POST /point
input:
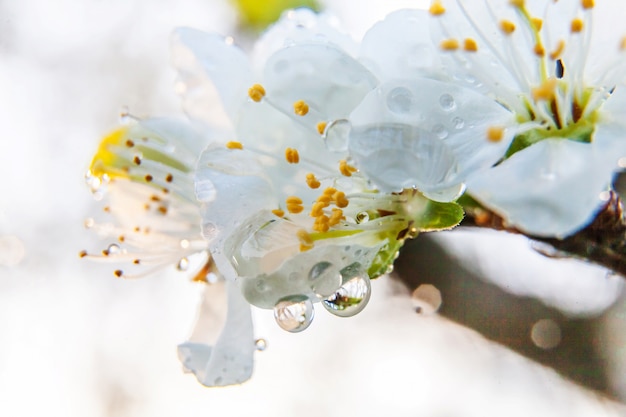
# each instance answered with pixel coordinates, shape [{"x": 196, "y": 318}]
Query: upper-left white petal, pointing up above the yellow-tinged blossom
[{"x": 212, "y": 71}]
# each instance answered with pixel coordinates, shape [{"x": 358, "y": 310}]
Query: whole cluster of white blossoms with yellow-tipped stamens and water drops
[{"x": 305, "y": 165}]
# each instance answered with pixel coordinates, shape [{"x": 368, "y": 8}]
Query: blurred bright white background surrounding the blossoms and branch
[{"x": 74, "y": 341}]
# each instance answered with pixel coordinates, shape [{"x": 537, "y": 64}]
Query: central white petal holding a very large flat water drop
[{"x": 400, "y": 139}]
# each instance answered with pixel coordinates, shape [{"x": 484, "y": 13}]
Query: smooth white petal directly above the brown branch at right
[{"x": 551, "y": 188}]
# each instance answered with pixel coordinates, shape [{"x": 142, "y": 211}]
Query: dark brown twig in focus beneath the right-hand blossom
[{"x": 602, "y": 242}]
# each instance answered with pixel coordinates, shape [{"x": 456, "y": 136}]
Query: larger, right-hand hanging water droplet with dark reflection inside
[{"x": 352, "y": 297}]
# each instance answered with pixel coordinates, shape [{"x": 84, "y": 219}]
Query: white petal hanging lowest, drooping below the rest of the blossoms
[{"x": 230, "y": 361}]
